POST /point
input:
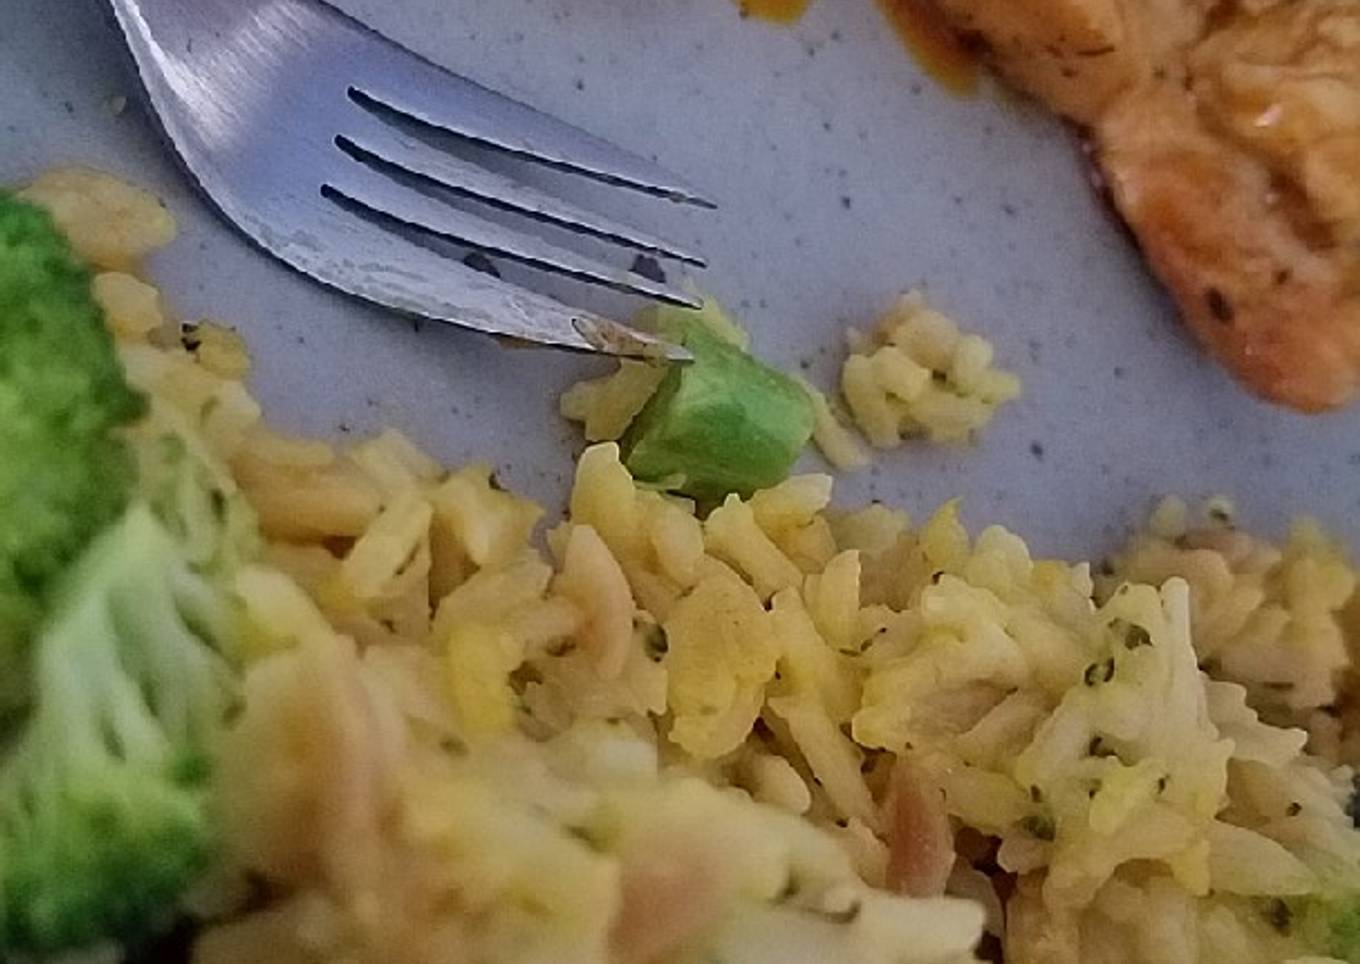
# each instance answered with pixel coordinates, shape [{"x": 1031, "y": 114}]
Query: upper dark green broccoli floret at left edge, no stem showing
[{"x": 65, "y": 472}]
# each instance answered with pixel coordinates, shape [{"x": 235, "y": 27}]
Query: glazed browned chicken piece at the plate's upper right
[{"x": 1230, "y": 137}]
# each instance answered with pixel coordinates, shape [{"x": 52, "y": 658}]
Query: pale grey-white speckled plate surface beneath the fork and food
[{"x": 844, "y": 177}]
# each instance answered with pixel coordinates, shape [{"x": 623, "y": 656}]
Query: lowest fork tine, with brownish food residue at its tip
[{"x": 379, "y": 266}]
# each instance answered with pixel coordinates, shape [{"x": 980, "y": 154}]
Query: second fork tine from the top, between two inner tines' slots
[{"x": 383, "y": 142}]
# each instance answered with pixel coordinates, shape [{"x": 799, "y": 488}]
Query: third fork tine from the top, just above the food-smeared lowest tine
[{"x": 383, "y": 195}]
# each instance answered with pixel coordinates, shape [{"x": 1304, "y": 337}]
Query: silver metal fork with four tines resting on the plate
[{"x": 328, "y": 146}]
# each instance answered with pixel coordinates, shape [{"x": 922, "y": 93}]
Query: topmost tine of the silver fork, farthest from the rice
[{"x": 411, "y": 86}]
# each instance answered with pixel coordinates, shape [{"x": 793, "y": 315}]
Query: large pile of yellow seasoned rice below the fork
[{"x": 779, "y": 734}]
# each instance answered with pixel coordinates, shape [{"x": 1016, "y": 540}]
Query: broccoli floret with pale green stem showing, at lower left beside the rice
[{"x": 104, "y": 792}]
